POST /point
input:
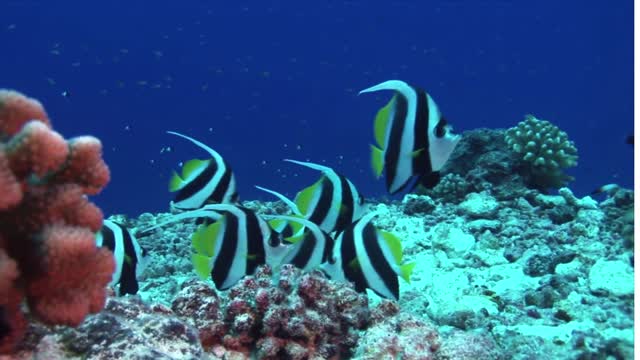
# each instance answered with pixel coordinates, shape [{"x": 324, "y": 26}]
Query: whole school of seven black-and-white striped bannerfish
[{"x": 328, "y": 228}]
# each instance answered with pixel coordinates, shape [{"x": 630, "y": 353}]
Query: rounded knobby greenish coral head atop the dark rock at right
[{"x": 546, "y": 148}]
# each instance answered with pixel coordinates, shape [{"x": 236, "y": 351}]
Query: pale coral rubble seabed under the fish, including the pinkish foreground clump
[{"x": 532, "y": 277}]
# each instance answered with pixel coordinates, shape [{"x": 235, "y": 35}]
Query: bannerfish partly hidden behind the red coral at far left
[{"x": 130, "y": 258}]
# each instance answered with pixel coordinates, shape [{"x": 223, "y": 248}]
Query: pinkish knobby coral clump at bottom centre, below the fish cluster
[{"x": 303, "y": 316}]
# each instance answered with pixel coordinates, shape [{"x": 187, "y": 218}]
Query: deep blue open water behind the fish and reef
[{"x": 262, "y": 81}]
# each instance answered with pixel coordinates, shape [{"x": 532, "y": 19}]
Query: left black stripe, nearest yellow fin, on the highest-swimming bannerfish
[{"x": 392, "y": 152}]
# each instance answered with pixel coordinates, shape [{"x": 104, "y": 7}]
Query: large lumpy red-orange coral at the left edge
[{"x": 48, "y": 255}]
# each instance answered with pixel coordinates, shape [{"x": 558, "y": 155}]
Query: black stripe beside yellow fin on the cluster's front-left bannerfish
[{"x": 228, "y": 250}]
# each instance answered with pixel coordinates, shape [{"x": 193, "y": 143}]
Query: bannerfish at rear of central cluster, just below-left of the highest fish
[{"x": 333, "y": 202}]
